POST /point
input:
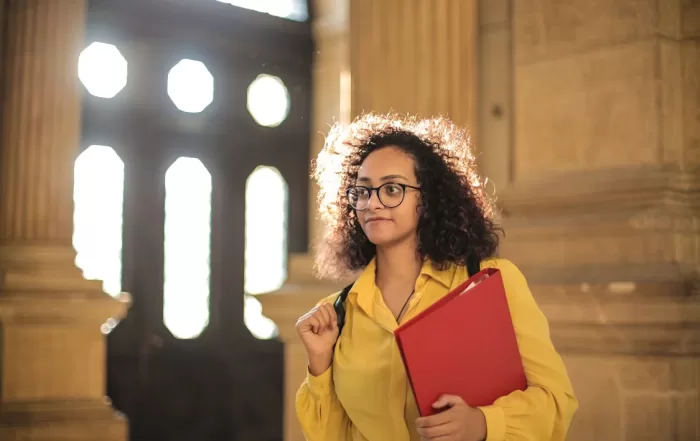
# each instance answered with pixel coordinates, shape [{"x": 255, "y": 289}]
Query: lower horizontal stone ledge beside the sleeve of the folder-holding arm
[{"x": 623, "y": 317}]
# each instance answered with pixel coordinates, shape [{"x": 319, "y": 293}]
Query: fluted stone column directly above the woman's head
[{"x": 414, "y": 56}]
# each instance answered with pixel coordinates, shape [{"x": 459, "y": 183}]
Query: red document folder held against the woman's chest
[{"x": 463, "y": 345}]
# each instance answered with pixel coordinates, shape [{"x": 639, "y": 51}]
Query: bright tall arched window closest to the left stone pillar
[{"x": 98, "y": 194}]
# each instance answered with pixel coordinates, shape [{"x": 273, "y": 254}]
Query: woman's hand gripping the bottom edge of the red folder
[{"x": 458, "y": 422}]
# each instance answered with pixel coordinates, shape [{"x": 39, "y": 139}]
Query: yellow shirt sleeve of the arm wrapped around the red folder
[{"x": 545, "y": 409}]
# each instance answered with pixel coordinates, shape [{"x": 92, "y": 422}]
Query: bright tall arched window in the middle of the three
[{"x": 186, "y": 286}]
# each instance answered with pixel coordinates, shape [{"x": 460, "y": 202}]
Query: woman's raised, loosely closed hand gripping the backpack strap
[{"x": 318, "y": 330}]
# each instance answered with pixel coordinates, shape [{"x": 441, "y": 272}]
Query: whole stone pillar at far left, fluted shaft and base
[{"x": 52, "y": 352}]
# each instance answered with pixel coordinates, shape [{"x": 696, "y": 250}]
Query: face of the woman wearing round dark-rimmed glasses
[{"x": 388, "y": 226}]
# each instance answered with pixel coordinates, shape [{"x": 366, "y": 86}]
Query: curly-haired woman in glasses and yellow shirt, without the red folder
[{"x": 404, "y": 208}]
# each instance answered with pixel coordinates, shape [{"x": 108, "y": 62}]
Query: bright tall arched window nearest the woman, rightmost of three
[{"x": 265, "y": 243}]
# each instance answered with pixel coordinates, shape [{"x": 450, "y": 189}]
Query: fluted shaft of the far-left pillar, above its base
[{"x": 41, "y": 125}]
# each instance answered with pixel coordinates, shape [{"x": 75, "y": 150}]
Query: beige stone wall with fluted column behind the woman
[{"x": 585, "y": 116}]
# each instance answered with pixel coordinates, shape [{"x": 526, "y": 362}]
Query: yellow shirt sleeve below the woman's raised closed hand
[{"x": 319, "y": 412}]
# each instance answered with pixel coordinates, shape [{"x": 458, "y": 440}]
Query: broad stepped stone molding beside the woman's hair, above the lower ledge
[{"x": 634, "y": 224}]
